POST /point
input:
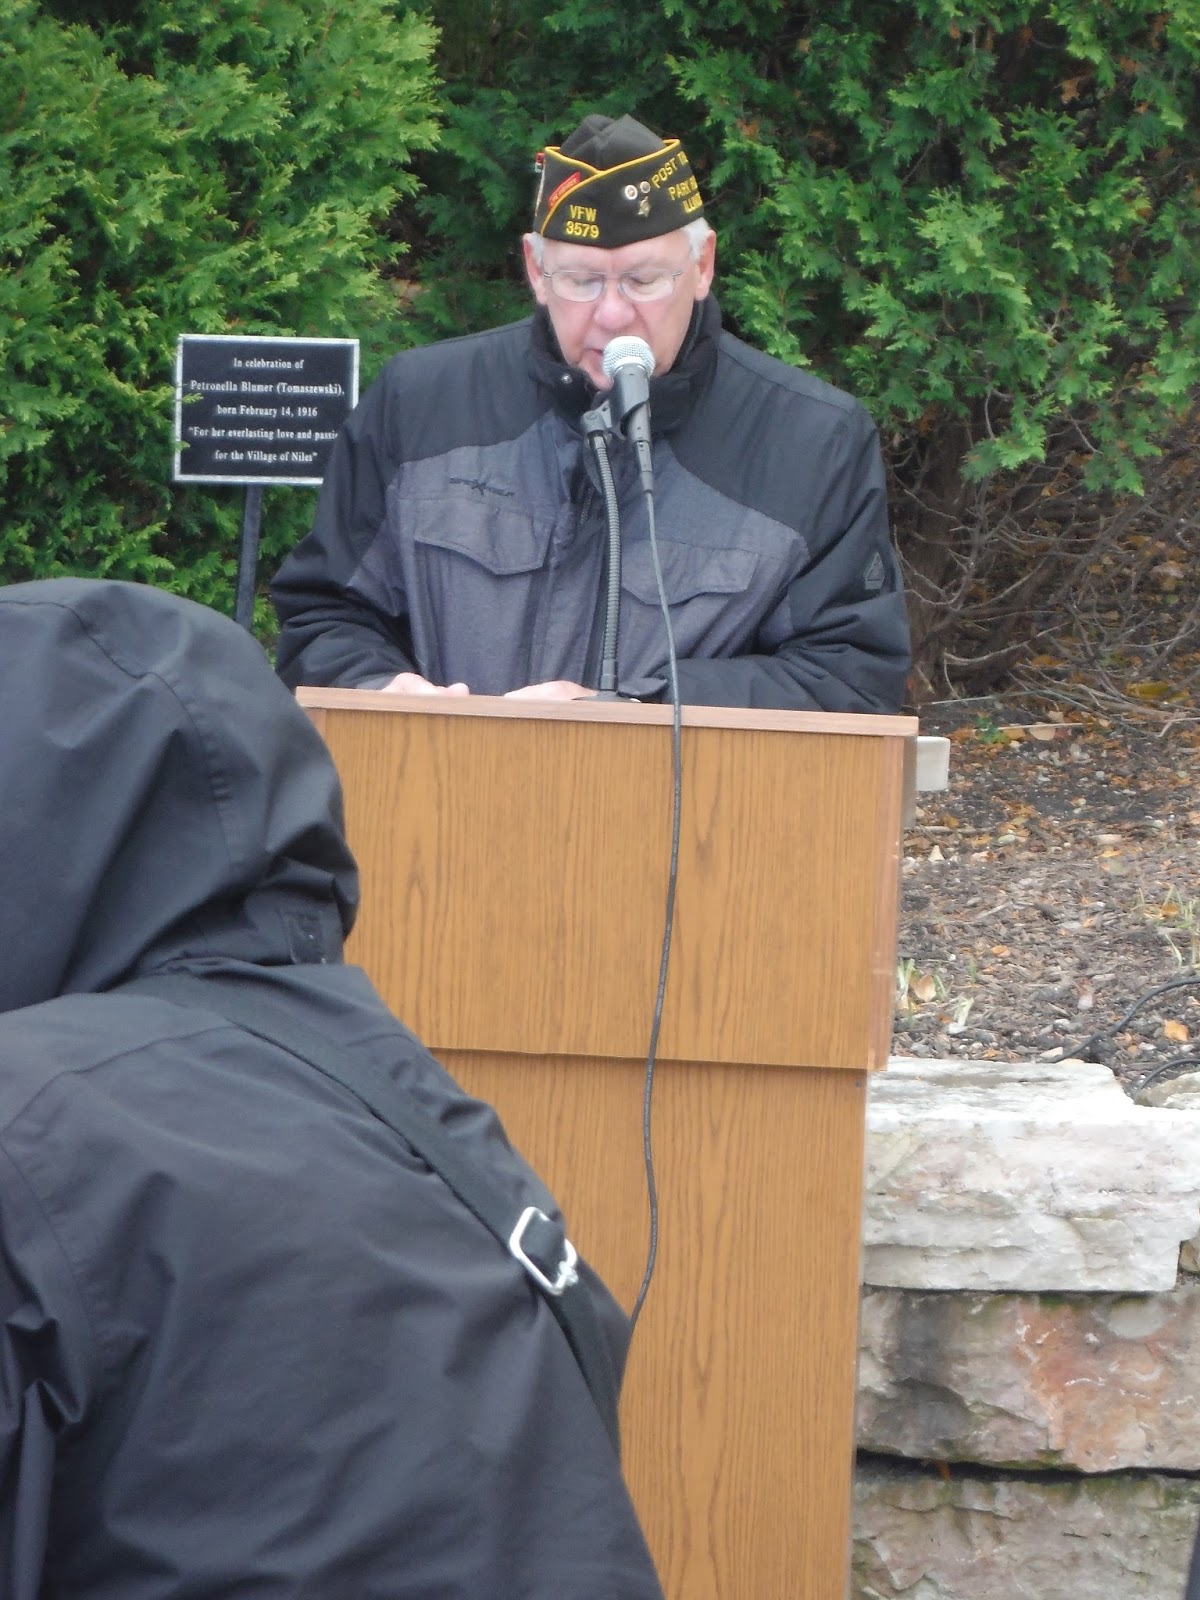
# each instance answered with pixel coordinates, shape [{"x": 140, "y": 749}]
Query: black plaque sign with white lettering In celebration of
[{"x": 260, "y": 410}]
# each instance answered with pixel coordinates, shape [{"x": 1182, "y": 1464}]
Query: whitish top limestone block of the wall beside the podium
[{"x": 1025, "y": 1177}]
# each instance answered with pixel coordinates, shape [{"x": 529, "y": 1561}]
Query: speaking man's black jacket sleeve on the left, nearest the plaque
[{"x": 329, "y": 633}]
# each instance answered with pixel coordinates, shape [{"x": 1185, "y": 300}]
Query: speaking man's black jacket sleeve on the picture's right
[{"x": 839, "y": 639}]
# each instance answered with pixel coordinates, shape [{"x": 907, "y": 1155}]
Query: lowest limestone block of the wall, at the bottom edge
[{"x": 919, "y": 1537}]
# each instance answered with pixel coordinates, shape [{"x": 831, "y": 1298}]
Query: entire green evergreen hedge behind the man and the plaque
[{"x": 982, "y": 220}]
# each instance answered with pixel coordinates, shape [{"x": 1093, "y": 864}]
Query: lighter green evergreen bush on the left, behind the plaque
[{"x": 186, "y": 167}]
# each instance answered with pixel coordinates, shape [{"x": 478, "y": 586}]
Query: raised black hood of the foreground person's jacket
[{"x": 162, "y": 796}]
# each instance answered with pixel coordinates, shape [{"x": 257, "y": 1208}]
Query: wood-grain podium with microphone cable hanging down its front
[{"x": 514, "y": 863}]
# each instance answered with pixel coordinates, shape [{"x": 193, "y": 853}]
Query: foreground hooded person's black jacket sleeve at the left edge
[{"x": 44, "y": 1342}]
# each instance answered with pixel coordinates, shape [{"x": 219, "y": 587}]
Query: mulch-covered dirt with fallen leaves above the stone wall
[{"x": 1050, "y": 898}]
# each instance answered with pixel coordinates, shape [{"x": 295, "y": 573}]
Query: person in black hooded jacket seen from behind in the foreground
[{"x": 250, "y": 1343}]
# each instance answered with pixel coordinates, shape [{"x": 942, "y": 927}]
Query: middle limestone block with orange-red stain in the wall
[{"x": 1094, "y": 1383}]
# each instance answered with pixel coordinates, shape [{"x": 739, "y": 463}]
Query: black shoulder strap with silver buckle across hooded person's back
[{"x": 532, "y": 1238}]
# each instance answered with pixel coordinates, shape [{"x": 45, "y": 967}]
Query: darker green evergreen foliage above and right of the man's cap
[{"x": 951, "y": 212}]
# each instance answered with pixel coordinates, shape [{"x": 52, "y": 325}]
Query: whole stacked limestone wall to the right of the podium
[{"x": 1030, "y": 1356}]
